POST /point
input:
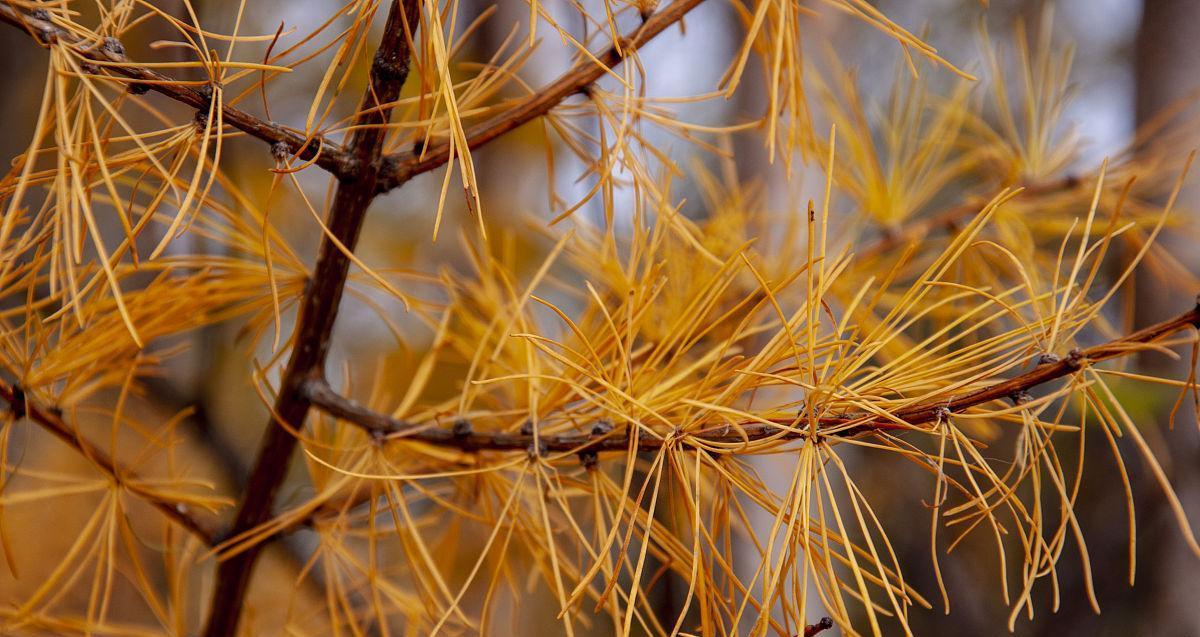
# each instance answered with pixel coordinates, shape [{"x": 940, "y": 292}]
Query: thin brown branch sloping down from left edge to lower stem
[{"x": 50, "y": 420}]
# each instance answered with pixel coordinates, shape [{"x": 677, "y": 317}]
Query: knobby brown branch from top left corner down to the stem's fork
[{"x": 111, "y": 51}]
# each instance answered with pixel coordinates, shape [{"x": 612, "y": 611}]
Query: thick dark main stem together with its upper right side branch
[{"x": 371, "y": 175}]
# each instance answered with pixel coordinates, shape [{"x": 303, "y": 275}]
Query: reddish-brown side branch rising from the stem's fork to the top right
[{"x": 404, "y": 167}]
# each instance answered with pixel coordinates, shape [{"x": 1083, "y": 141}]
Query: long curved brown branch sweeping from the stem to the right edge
[{"x": 602, "y": 438}]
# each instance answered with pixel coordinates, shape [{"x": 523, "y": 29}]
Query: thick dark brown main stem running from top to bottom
[{"x": 319, "y": 309}]
